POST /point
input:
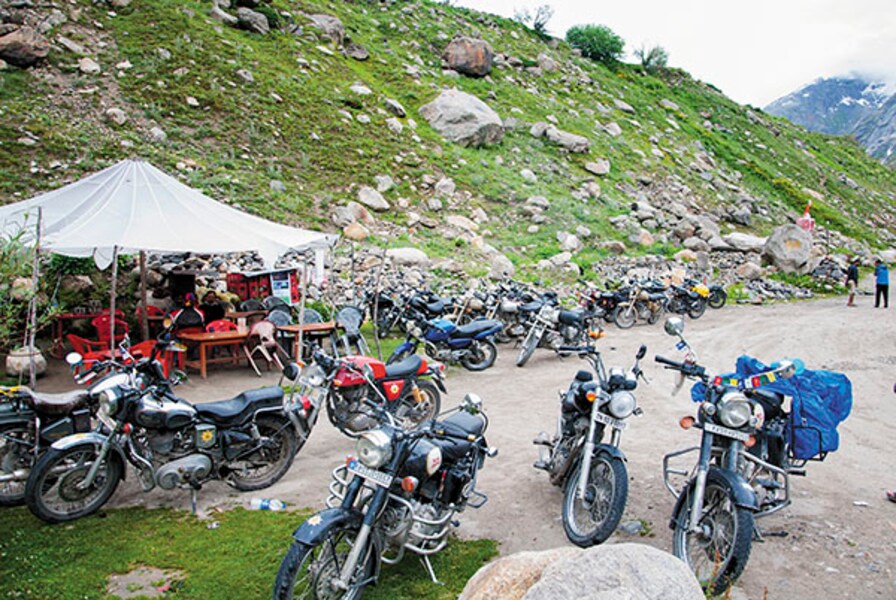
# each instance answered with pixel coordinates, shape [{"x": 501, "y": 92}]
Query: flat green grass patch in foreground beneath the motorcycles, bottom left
[{"x": 239, "y": 559}]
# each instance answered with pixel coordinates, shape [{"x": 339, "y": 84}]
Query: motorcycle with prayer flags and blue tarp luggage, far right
[{"x": 751, "y": 444}]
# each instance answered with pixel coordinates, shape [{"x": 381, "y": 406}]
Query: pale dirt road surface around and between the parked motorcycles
[{"x": 840, "y": 528}]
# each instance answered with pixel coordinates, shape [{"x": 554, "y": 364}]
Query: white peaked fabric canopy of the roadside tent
[{"x": 135, "y": 206}]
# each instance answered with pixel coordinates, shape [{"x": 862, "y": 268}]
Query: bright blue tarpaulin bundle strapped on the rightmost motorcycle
[{"x": 821, "y": 400}]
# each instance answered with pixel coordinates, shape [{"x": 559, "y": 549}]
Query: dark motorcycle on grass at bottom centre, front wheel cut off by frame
[{"x": 399, "y": 493}]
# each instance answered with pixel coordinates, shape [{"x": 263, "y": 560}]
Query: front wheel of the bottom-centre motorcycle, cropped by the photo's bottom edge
[{"x": 309, "y": 571}]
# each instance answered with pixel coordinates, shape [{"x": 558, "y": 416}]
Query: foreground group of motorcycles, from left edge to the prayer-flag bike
[{"x": 414, "y": 467}]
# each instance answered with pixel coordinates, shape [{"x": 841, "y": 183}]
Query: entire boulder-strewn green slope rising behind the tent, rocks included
[{"x": 418, "y": 124}]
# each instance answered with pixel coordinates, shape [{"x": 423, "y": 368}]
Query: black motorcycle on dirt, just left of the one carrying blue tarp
[{"x": 591, "y": 472}]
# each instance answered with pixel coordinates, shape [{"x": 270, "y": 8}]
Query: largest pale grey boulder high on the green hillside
[{"x": 463, "y": 118}]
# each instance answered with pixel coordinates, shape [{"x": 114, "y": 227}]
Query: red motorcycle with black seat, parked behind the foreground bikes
[{"x": 408, "y": 389}]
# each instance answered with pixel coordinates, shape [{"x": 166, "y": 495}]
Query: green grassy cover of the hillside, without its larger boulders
[{"x": 297, "y": 123}]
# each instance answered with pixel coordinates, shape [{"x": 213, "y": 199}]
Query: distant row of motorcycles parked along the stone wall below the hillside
[{"x": 465, "y": 329}]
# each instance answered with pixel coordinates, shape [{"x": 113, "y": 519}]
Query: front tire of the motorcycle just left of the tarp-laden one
[{"x": 603, "y": 505}]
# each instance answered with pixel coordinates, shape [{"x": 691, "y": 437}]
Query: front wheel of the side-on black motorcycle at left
[{"x": 45, "y": 478}]
